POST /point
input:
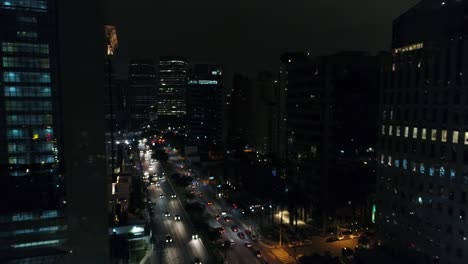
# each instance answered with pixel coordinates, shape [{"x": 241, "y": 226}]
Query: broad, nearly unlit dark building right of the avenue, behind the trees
[{"x": 330, "y": 116}]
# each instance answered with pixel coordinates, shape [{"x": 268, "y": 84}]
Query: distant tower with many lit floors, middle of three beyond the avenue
[{"x": 172, "y": 85}]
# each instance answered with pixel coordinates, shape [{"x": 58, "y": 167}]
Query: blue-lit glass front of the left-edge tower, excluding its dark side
[{"x": 32, "y": 196}]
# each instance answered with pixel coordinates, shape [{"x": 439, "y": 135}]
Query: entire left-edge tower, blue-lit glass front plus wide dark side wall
[{"x": 44, "y": 216}]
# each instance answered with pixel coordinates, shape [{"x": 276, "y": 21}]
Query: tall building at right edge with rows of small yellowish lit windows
[{"x": 423, "y": 136}]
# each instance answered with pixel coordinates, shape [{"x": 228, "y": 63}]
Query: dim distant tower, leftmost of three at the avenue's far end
[{"x": 141, "y": 96}]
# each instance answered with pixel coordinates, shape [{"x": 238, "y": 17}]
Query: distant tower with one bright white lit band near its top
[{"x": 204, "y": 99}]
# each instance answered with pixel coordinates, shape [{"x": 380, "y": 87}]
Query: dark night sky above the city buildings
[{"x": 249, "y": 35}]
